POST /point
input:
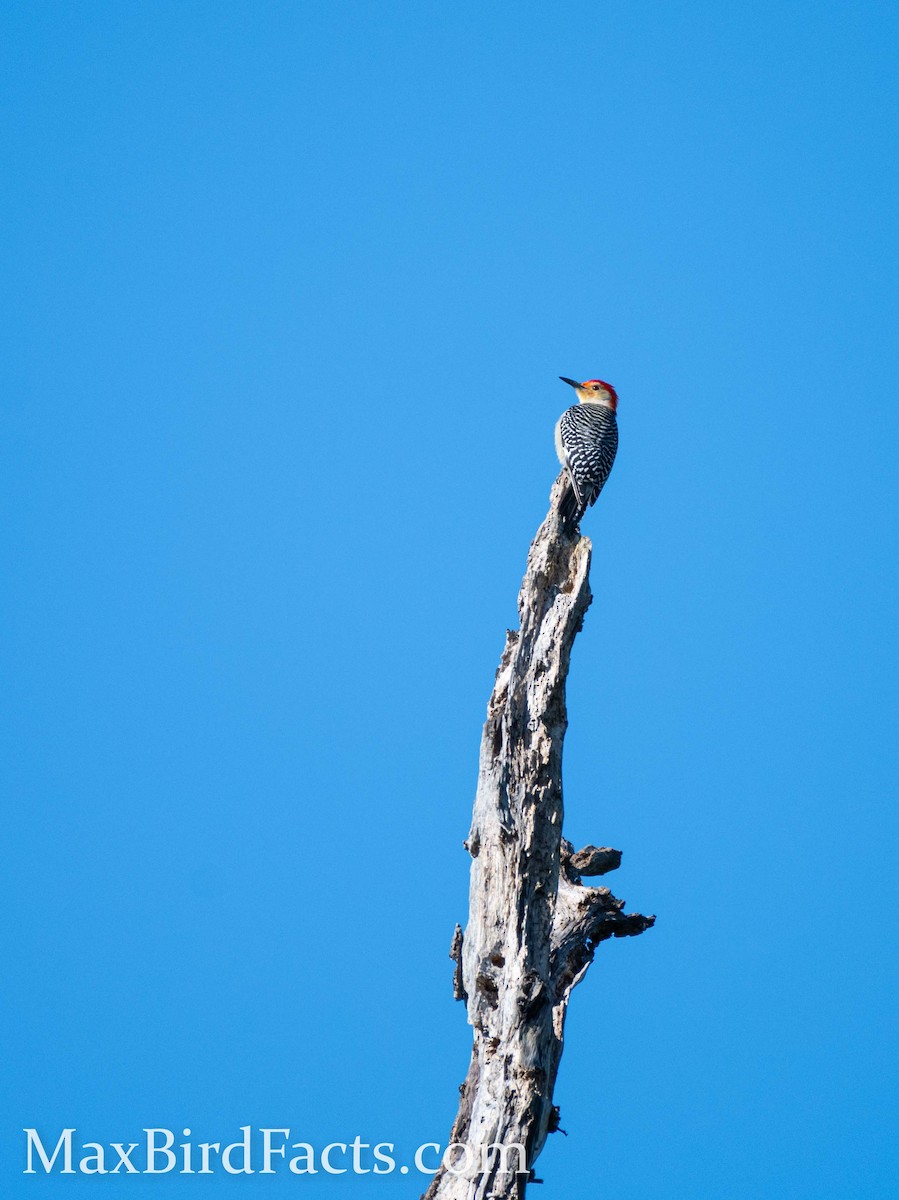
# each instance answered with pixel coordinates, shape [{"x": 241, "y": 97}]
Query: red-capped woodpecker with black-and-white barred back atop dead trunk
[{"x": 586, "y": 442}]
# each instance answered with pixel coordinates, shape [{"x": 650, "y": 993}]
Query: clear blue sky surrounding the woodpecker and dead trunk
[{"x": 289, "y": 289}]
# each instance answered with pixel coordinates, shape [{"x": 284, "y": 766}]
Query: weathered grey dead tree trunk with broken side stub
[{"x": 534, "y": 927}]
